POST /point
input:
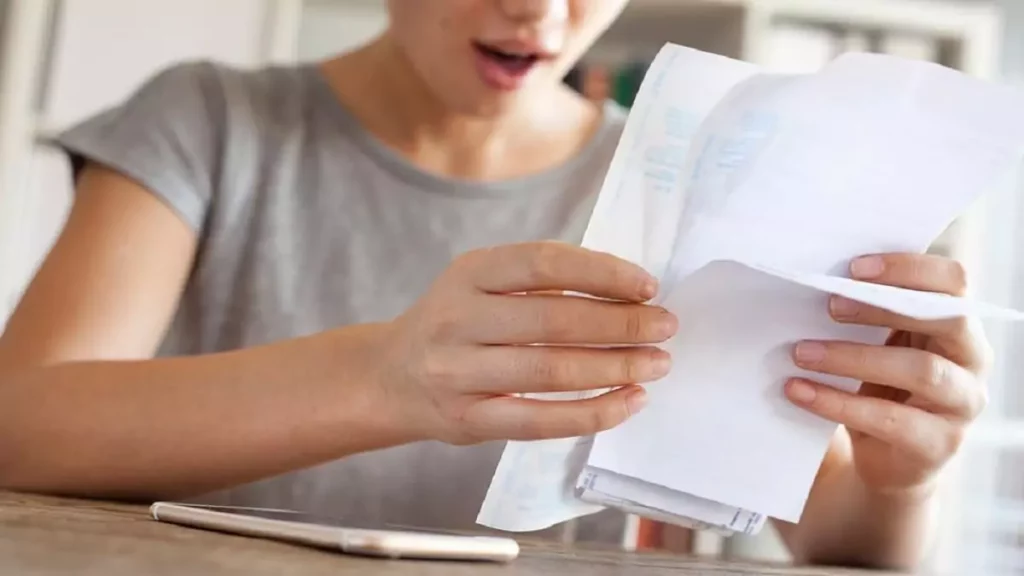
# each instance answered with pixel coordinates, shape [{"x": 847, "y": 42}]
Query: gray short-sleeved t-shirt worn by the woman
[{"x": 308, "y": 223}]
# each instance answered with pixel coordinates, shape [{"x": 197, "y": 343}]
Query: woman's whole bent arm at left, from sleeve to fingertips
[{"x": 86, "y": 412}]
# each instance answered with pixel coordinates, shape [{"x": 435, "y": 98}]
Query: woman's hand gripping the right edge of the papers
[{"x": 921, "y": 391}]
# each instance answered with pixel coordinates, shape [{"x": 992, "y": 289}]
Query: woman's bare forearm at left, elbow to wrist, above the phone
[{"x": 174, "y": 428}]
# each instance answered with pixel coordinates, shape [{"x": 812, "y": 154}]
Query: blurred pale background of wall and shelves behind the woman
[{"x": 62, "y": 61}]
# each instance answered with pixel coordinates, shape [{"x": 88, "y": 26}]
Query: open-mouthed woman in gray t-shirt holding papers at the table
[{"x": 324, "y": 260}]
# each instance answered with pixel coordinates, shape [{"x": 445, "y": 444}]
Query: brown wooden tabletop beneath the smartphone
[{"x": 51, "y": 537}]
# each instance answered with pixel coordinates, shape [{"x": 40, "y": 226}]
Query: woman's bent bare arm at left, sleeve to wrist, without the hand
[{"x": 84, "y": 412}]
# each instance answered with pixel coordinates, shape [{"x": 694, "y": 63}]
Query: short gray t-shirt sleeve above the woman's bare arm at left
[{"x": 164, "y": 137}]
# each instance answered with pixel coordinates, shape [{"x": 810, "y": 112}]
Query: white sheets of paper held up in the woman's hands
[{"x": 748, "y": 194}]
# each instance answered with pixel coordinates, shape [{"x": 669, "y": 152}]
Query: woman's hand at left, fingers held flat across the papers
[{"x": 454, "y": 363}]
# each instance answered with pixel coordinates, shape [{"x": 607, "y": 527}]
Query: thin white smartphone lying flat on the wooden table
[{"x": 331, "y": 534}]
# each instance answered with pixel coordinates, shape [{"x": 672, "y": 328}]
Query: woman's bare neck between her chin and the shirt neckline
[{"x": 539, "y": 133}]
